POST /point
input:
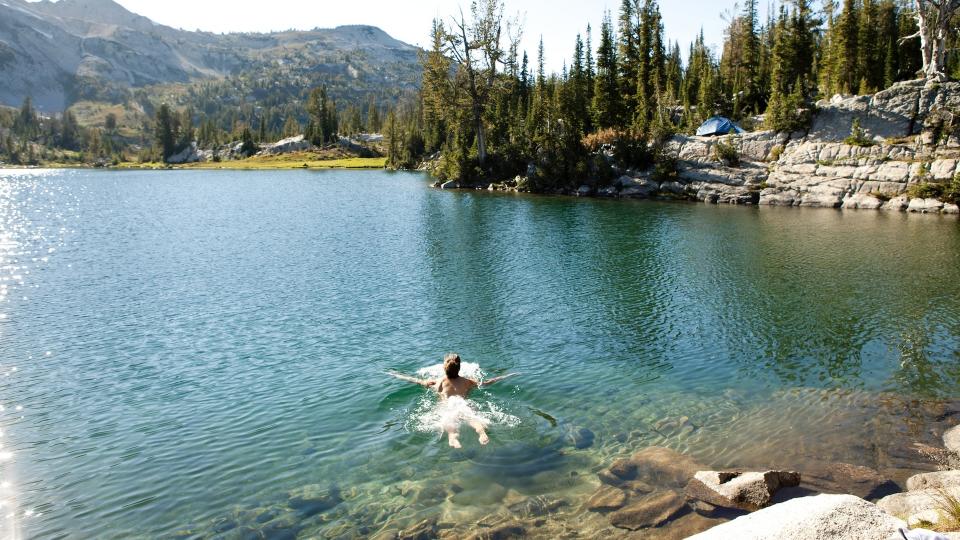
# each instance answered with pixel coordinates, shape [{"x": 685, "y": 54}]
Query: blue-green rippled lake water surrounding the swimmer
[{"x": 181, "y": 350}]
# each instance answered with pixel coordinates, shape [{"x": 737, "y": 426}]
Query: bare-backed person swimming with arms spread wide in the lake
[{"x": 453, "y": 391}]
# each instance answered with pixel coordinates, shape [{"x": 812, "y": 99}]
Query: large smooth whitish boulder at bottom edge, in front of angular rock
[{"x": 805, "y": 518}]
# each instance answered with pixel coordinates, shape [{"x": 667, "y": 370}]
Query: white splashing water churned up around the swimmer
[{"x": 436, "y": 415}]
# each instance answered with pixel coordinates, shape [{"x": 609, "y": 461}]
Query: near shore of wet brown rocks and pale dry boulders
[{"x": 657, "y": 487}]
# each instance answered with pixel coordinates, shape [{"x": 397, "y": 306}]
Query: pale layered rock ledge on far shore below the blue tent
[{"x": 910, "y": 136}]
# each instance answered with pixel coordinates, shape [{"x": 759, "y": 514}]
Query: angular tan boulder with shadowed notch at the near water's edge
[{"x": 748, "y": 491}]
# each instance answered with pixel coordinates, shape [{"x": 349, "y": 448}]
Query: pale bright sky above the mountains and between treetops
[{"x": 558, "y": 21}]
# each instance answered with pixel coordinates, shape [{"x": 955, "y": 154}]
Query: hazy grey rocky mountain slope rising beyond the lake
[{"x": 61, "y": 52}]
